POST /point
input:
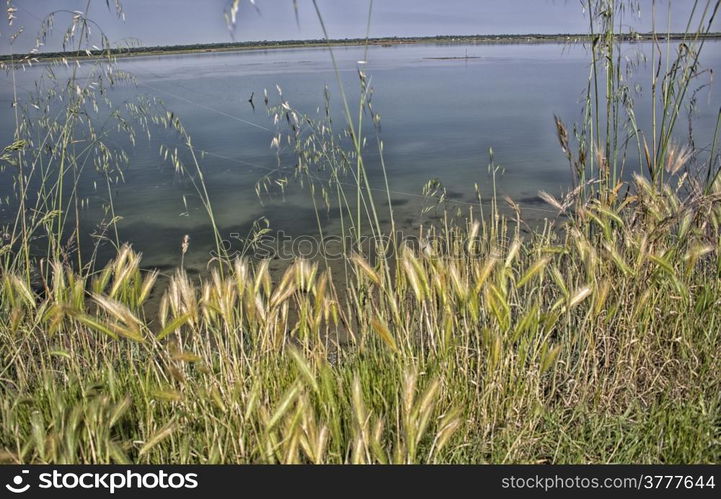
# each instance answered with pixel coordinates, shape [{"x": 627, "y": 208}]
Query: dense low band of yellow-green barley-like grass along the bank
[{"x": 563, "y": 348}]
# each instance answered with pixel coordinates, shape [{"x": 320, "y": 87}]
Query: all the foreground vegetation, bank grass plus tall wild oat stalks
[{"x": 594, "y": 337}]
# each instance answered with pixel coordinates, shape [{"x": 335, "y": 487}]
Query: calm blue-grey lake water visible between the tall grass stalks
[{"x": 439, "y": 119}]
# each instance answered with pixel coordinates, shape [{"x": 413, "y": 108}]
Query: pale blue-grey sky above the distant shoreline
[{"x": 177, "y": 22}]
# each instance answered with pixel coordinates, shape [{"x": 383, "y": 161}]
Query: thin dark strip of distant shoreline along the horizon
[{"x": 347, "y": 42}]
